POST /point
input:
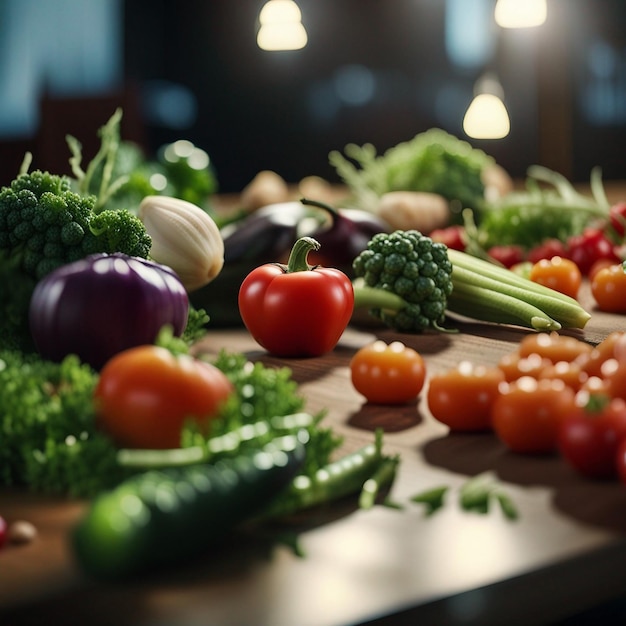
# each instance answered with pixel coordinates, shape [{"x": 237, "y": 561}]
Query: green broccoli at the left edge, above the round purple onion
[{"x": 45, "y": 225}]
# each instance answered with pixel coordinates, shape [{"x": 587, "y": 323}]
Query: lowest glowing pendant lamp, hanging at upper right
[{"x": 486, "y": 116}]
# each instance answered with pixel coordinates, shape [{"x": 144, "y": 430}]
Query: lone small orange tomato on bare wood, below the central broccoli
[{"x": 388, "y": 374}]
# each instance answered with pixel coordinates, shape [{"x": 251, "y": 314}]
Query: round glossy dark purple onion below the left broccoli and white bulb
[{"x": 103, "y": 304}]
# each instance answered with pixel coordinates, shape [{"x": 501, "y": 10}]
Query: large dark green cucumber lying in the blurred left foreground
[{"x": 164, "y": 516}]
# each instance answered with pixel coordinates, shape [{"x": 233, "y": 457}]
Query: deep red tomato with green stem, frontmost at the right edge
[{"x": 588, "y": 437}]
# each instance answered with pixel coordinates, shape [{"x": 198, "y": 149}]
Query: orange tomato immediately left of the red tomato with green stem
[{"x": 527, "y": 413}]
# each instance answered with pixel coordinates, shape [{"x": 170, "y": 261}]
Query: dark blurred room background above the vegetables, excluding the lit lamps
[{"x": 372, "y": 71}]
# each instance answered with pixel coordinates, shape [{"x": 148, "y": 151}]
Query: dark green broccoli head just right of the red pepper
[{"x": 407, "y": 279}]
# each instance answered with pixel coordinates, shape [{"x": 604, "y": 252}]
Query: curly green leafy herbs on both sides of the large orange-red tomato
[{"x": 50, "y": 442}]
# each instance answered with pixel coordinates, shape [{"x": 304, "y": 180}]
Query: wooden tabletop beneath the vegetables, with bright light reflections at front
[{"x": 566, "y": 552}]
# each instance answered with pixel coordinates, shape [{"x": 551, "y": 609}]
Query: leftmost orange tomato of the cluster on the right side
[{"x": 461, "y": 398}]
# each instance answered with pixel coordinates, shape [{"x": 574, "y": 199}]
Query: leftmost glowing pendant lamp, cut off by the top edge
[{"x": 281, "y": 26}]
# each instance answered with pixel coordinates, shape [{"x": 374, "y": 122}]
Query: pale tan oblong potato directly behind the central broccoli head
[{"x": 414, "y": 210}]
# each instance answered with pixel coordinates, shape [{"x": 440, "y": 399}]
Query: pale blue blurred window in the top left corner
[{"x": 65, "y": 48}]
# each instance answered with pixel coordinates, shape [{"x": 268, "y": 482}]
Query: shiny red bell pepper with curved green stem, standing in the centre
[{"x": 296, "y": 309}]
